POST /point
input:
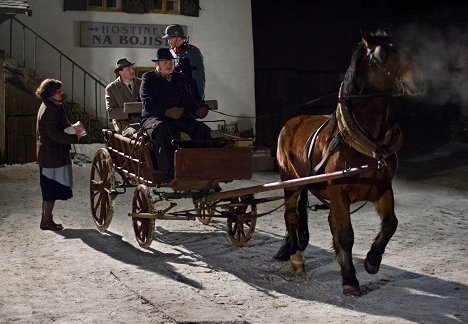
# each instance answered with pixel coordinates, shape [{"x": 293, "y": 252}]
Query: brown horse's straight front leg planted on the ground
[{"x": 343, "y": 240}]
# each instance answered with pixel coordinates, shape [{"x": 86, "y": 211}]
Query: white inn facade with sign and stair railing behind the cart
[{"x": 93, "y": 40}]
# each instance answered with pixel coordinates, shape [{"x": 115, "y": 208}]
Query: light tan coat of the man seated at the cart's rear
[{"x": 117, "y": 94}]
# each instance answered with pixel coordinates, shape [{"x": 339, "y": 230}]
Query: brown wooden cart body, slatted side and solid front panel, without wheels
[{"x": 195, "y": 169}]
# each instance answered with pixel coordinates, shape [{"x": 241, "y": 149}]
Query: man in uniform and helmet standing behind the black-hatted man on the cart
[{"x": 190, "y": 59}]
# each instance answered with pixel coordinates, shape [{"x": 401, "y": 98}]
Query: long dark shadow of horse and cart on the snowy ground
[{"x": 418, "y": 300}]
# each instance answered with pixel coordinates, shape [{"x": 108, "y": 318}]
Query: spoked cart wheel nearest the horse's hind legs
[{"x": 241, "y": 220}]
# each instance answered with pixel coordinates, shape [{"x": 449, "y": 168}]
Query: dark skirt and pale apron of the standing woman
[{"x": 56, "y": 183}]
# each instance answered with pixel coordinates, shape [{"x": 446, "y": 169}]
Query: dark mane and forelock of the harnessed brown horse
[{"x": 378, "y": 38}]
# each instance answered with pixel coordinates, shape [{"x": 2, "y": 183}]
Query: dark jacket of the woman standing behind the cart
[{"x": 53, "y": 144}]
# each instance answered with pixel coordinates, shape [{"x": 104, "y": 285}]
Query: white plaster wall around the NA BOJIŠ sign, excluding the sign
[{"x": 223, "y": 32}]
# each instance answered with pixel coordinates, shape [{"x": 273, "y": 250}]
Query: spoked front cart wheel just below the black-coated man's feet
[{"x": 143, "y": 227}]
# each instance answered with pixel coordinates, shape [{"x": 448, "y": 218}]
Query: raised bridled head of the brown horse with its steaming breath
[{"x": 388, "y": 70}]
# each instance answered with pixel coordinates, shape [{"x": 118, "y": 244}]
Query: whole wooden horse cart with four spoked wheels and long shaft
[{"x": 198, "y": 174}]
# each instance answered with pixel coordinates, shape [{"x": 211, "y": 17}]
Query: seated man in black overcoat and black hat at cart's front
[{"x": 168, "y": 109}]
